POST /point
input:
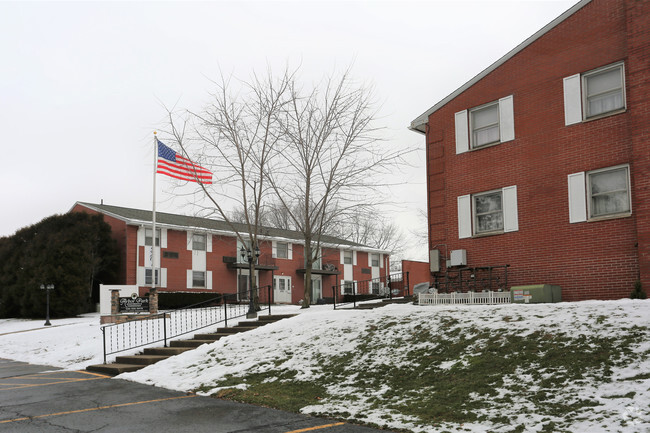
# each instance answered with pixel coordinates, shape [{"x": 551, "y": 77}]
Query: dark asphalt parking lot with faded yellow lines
[{"x": 40, "y": 398}]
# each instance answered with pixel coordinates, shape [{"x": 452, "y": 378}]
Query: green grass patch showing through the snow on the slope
[{"x": 488, "y": 369}]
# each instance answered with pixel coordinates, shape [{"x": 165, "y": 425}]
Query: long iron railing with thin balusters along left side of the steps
[{"x": 168, "y": 325}]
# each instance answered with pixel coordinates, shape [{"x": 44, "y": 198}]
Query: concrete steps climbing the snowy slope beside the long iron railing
[{"x": 151, "y": 355}]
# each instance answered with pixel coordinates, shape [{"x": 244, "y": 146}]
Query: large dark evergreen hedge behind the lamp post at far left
[{"x": 75, "y": 252}]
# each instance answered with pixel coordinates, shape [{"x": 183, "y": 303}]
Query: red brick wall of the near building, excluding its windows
[{"x": 590, "y": 260}]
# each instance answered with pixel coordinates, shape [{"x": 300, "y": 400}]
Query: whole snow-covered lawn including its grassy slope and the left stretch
[{"x": 575, "y": 367}]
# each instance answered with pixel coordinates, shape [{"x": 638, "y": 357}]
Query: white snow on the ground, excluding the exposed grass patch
[{"x": 320, "y": 332}]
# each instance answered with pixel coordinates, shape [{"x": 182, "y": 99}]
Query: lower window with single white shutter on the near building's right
[{"x": 602, "y": 193}]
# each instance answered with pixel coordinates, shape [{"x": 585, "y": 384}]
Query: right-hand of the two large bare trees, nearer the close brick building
[{"x": 330, "y": 162}]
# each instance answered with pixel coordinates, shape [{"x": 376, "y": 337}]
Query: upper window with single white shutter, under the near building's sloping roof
[{"x": 594, "y": 94}]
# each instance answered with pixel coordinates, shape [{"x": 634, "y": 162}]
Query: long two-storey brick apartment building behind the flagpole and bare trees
[{"x": 202, "y": 255}]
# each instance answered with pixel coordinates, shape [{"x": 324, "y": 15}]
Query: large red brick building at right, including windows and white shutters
[{"x": 542, "y": 161}]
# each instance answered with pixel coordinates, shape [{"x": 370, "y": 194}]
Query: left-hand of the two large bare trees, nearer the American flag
[{"x": 235, "y": 137}]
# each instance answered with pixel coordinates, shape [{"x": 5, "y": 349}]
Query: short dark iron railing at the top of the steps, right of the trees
[{"x": 389, "y": 286}]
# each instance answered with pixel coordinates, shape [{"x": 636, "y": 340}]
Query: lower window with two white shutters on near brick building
[{"x": 488, "y": 212}]
